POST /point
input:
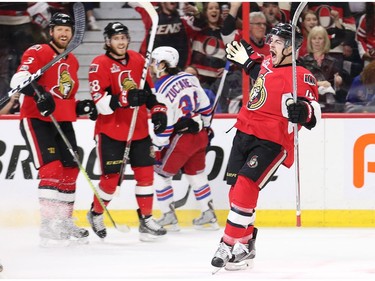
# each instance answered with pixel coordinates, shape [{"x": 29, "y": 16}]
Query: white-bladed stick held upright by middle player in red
[{"x": 155, "y": 20}]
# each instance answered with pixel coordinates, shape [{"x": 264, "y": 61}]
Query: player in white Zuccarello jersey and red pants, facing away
[{"x": 182, "y": 146}]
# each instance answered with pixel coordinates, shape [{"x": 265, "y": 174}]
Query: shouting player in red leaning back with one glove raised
[{"x": 264, "y": 137}]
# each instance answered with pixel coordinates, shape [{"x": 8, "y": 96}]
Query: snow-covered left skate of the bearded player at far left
[{"x": 53, "y": 234}]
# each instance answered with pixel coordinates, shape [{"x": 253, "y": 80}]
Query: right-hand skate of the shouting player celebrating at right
[{"x": 243, "y": 255}]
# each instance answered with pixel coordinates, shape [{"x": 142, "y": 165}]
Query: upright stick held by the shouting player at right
[{"x": 295, "y": 19}]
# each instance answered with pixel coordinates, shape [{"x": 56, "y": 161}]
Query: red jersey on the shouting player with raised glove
[{"x": 265, "y": 115}]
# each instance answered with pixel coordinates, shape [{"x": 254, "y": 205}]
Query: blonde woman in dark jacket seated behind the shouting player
[{"x": 327, "y": 70}]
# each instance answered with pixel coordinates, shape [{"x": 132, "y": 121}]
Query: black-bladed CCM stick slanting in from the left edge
[{"x": 79, "y": 11}]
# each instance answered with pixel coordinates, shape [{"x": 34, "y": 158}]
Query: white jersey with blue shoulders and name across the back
[{"x": 184, "y": 98}]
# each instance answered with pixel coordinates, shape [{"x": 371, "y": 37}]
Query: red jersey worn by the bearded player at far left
[{"x": 60, "y": 80}]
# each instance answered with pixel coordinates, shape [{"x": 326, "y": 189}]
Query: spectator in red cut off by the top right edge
[{"x": 365, "y": 34}]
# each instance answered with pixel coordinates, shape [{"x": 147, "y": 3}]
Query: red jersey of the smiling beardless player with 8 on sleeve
[{"x": 107, "y": 77}]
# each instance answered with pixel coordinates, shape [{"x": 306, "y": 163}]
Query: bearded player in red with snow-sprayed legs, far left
[{"x": 58, "y": 171}]
